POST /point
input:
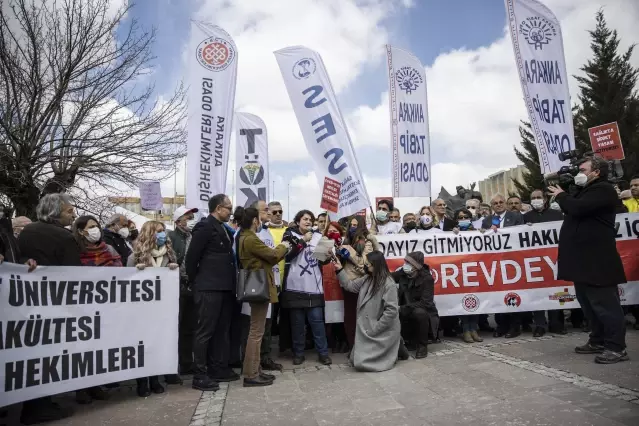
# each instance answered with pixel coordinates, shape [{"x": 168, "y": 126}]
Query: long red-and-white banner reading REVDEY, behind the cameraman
[{"x": 513, "y": 269}]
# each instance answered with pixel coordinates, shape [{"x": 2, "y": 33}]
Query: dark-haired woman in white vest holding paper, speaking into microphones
[{"x": 303, "y": 291}]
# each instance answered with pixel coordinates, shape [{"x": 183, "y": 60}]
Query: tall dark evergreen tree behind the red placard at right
[{"x": 608, "y": 93}]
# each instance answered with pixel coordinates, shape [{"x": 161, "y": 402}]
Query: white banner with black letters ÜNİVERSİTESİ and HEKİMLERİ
[{"x": 65, "y": 328}]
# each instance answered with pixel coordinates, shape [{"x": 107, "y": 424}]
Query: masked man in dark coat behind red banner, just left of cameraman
[{"x": 541, "y": 213}]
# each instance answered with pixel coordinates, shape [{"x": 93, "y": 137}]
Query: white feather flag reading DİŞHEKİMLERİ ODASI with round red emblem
[{"x": 213, "y": 73}]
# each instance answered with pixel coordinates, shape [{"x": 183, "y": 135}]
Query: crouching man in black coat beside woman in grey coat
[{"x": 417, "y": 311}]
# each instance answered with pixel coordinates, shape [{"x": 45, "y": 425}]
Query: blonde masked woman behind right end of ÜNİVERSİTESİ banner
[{"x": 152, "y": 249}]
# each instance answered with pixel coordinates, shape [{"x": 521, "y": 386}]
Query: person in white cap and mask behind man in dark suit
[{"x": 180, "y": 237}]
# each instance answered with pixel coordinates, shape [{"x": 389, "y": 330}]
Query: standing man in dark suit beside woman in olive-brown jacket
[{"x": 210, "y": 265}]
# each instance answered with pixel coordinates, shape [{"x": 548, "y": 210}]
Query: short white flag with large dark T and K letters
[{"x": 251, "y": 159}]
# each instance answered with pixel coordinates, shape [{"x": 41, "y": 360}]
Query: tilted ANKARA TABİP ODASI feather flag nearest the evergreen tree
[{"x": 539, "y": 53}]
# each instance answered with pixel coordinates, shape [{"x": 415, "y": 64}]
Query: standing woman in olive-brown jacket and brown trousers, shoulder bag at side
[{"x": 253, "y": 254}]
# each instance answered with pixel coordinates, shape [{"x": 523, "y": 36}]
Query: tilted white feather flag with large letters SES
[{"x": 322, "y": 125}]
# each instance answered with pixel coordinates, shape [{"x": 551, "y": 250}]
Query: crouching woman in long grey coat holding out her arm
[{"x": 378, "y": 328}]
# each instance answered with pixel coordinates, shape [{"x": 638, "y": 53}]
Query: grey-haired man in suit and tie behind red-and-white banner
[{"x": 508, "y": 325}]
